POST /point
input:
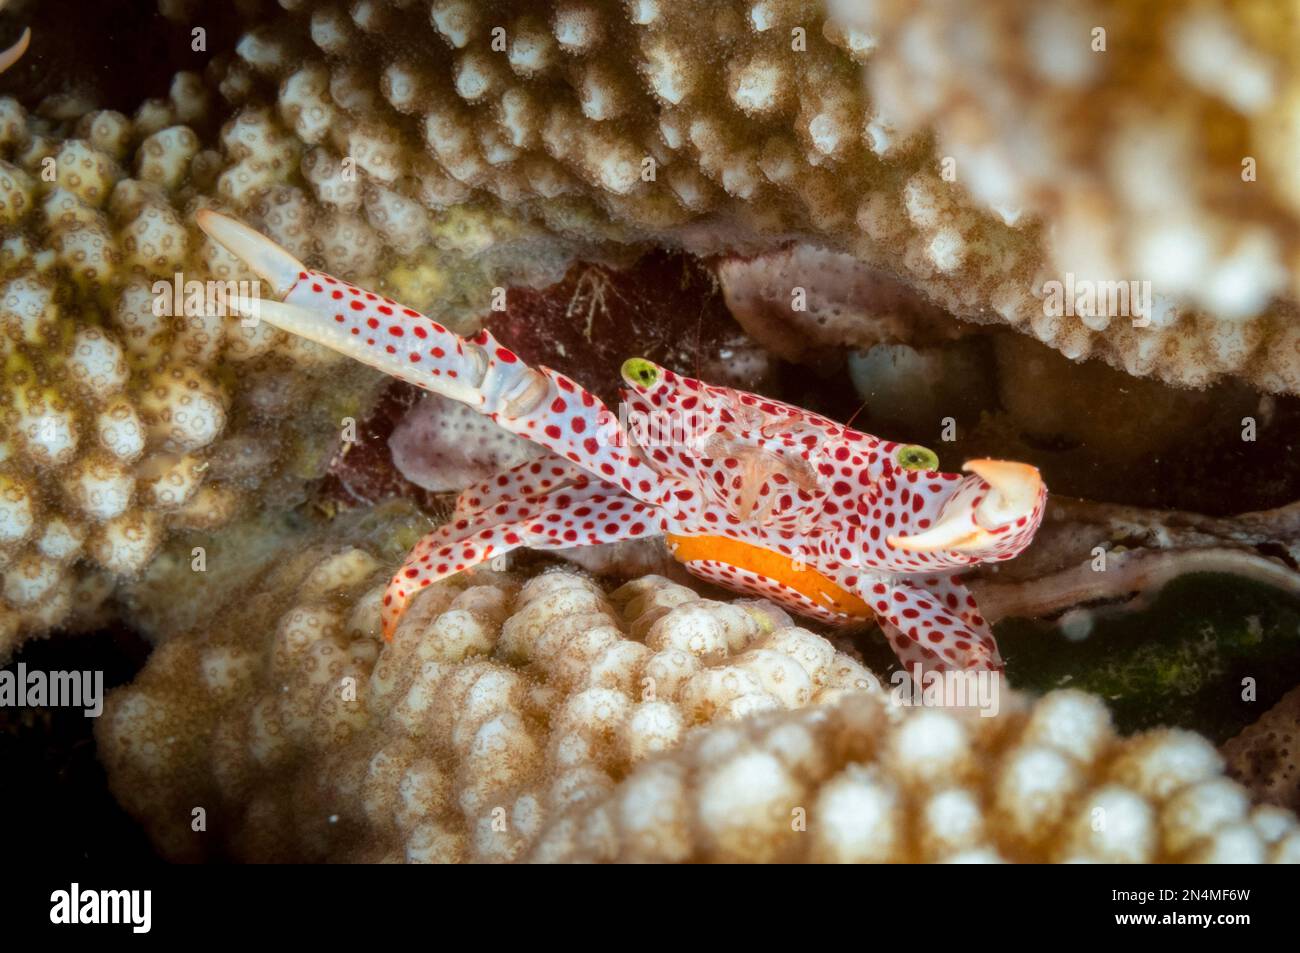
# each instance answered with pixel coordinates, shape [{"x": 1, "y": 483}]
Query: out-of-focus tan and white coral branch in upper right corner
[{"x": 1147, "y": 144}]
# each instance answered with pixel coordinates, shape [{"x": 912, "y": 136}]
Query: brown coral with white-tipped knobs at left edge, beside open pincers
[{"x": 129, "y": 409}]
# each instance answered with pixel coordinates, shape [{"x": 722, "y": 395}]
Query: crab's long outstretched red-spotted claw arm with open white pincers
[{"x": 539, "y": 404}]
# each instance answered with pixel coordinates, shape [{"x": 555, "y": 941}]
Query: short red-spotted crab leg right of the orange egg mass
[{"x": 935, "y": 625}]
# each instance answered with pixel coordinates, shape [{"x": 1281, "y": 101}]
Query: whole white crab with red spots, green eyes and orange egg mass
[{"x": 752, "y": 495}]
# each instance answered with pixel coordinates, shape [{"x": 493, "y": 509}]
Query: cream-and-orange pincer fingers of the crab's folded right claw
[{"x": 1015, "y": 491}]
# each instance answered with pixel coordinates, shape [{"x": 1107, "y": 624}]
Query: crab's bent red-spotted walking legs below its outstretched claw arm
[{"x": 586, "y": 513}]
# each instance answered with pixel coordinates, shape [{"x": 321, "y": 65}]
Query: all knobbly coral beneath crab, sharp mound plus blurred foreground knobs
[{"x": 548, "y": 720}]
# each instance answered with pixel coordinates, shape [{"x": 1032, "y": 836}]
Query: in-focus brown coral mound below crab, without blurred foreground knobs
[{"x": 500, "y": 701}]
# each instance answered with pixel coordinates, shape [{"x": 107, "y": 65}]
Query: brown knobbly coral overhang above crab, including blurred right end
[{"x": 757, "y": 123}]
